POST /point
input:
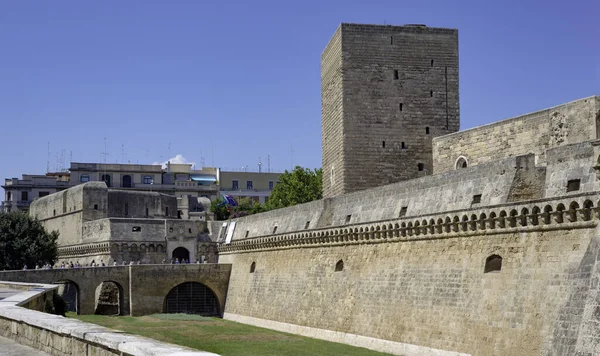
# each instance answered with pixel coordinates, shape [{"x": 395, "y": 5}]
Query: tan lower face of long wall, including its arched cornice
[{"x": 419, "y": 283}]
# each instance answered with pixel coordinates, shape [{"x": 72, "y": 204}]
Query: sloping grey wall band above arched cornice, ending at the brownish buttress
[{"x": 450, "y": 191}]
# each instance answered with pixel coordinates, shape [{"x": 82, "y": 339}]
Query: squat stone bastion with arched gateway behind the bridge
[{"x": 100, "y": 224}]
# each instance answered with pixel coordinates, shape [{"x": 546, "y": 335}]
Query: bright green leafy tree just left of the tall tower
[{"x": 296, "y": 187}]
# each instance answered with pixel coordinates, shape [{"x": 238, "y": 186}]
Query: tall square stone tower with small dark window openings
[{"x": 386, "y": 91}]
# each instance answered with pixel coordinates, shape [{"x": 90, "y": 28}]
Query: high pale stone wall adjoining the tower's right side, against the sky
[{"x": 569, "y": 123}]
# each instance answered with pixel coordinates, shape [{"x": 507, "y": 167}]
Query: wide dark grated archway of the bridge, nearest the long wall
[{"x": 192, "y": 298}]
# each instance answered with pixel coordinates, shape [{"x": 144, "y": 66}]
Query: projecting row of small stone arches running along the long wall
[{"x": 576, "y": 211}]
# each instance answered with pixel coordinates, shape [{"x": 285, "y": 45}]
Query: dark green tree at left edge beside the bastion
[{"x": 24, "y": 241}]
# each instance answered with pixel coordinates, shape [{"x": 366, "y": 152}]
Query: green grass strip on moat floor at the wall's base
[{"x": 220, "y": 336}]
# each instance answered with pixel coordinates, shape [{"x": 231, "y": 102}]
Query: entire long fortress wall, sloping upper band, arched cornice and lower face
[{"x": 416, "y": 284}]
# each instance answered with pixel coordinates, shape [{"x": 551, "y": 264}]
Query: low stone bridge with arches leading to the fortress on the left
[{"x": 142, "y": 289}]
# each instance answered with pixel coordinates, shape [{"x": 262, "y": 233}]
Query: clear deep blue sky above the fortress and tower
[{"x": 242, "y": 78}]
